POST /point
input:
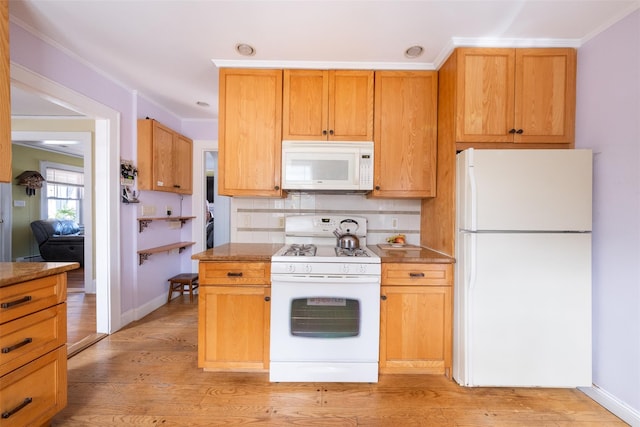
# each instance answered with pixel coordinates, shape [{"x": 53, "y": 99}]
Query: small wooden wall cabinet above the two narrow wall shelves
[{"x": 165, "y": 160}]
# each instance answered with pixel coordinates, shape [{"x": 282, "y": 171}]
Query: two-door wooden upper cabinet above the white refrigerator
[{"x": 515, "y": 95}]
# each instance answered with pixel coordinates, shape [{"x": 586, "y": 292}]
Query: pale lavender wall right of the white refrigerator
[{"x": 607, "y": 120}]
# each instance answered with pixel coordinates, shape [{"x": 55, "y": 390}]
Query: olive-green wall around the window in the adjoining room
[{"x": 25, "y": 158}]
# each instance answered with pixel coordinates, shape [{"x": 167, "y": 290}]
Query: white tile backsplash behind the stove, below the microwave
[{"x": 260, "y": 220}]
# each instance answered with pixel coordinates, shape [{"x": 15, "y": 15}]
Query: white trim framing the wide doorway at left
[{"x": 106, "y": 172}]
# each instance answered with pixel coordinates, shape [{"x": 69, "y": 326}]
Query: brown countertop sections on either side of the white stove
[{"x": 261, "y": 252}]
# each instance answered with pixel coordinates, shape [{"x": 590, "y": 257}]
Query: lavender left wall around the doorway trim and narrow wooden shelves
[{"x": 141, "y": 288}]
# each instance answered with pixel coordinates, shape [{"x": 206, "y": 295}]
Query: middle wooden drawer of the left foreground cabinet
[{"x": 30, "y": 337}]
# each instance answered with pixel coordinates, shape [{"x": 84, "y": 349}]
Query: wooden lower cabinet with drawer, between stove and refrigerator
[{"x": 416, "y": 318}]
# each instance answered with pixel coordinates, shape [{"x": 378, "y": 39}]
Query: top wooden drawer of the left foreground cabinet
[{"x": 28, "y": 297}]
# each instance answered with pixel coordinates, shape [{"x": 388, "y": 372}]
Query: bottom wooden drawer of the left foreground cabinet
[{"x": 33, "y": 394}]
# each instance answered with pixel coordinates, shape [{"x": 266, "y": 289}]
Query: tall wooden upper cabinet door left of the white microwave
[{"x": 250, "y": 132}]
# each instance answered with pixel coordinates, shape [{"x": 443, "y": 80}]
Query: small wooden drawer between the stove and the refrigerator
[{"x": 405, "y": 274}]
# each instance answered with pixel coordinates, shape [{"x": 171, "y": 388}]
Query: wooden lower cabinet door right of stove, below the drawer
[{"x": 415, "y": 329}]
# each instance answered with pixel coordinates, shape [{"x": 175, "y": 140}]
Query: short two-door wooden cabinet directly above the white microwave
[{"x": 333, "y": 105}]
